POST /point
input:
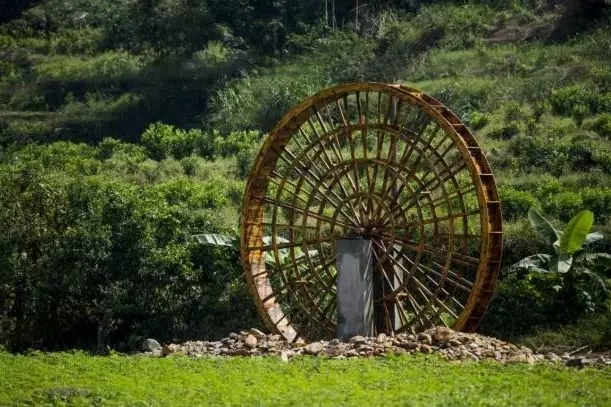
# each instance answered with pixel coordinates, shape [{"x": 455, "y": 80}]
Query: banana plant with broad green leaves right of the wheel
[{"x": 571, "y": 261}]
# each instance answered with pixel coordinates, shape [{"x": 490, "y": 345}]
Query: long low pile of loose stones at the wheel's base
[{"x": 456, "y": 346}]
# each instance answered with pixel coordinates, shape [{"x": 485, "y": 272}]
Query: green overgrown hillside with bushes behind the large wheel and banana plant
[{"x": 126, "y": 127}]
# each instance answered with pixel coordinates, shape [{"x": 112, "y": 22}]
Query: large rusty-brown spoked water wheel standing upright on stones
[{"x": 387, "y": 163}]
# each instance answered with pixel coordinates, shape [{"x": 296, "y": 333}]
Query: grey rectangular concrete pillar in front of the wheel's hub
[{"x": 355, "y": 312}]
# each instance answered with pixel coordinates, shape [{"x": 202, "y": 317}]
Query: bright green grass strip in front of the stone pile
[{"x": 66, "y": 379}]
